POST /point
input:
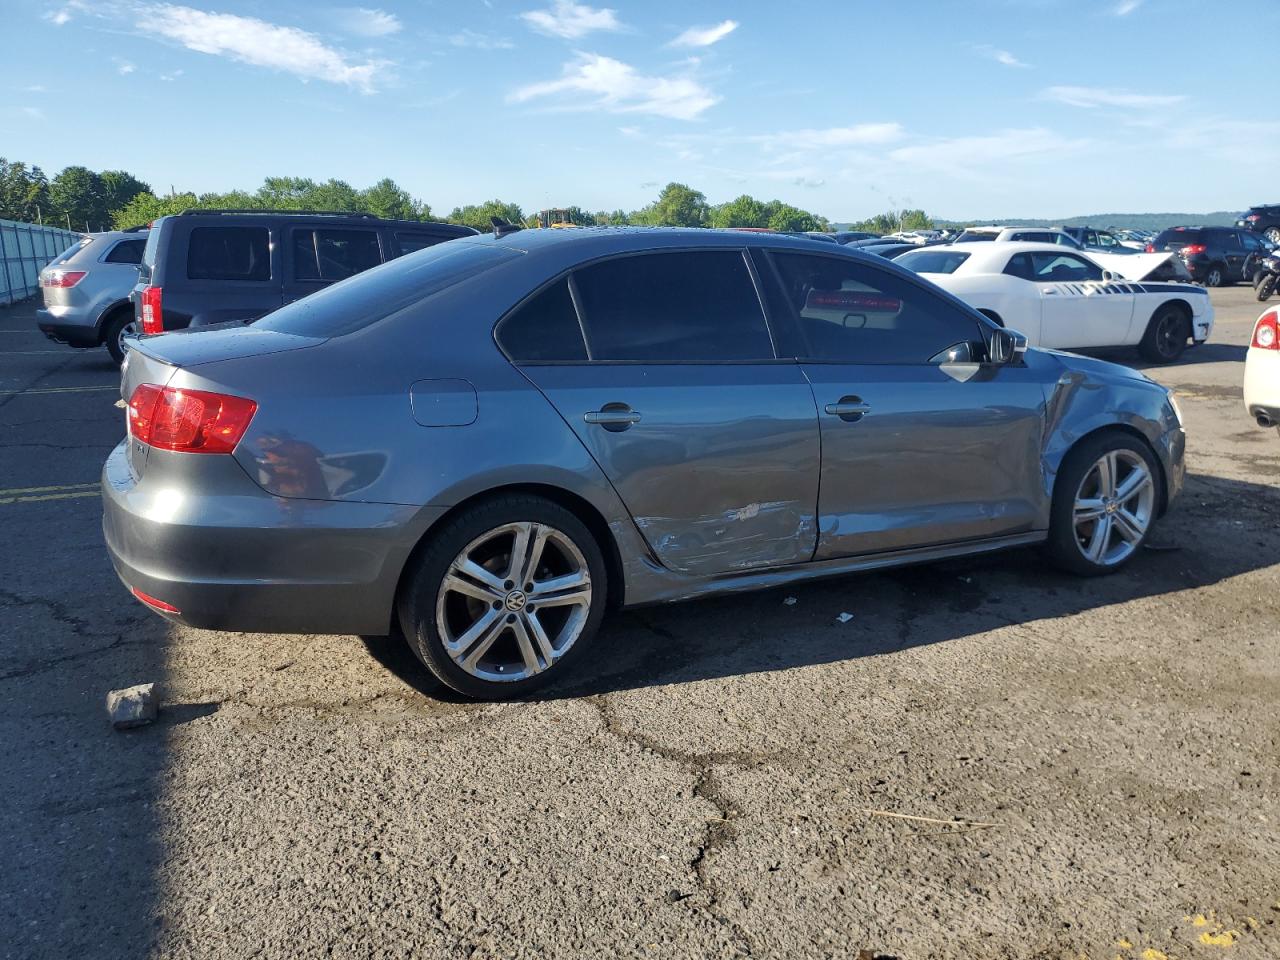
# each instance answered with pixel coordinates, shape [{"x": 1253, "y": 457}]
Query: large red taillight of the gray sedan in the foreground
[{"x": 189, "y": 422}]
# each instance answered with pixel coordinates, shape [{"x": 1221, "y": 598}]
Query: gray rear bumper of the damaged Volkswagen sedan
[{"x": 231, "y": 557}]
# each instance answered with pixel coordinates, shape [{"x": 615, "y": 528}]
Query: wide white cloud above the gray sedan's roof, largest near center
[{"x": 595, "y": 81}]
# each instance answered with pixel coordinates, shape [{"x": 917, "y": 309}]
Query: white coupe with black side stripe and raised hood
[{"x": 1064, "y": 299}]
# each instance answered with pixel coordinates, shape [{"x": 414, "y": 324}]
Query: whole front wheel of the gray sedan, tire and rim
[{"x": 1082, "y": 502}]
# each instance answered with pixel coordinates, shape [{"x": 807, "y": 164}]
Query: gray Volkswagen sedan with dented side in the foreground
[{"x": 491, "y": 442}]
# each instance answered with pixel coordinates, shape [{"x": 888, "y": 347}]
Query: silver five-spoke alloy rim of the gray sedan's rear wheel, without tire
[{"x": 514, "y": 602}]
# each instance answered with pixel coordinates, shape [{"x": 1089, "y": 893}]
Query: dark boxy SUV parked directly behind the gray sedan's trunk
[{"x": 212, "y": 267}]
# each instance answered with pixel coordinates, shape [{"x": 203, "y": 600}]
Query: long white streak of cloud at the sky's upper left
[{"x": 254, "y": 42}]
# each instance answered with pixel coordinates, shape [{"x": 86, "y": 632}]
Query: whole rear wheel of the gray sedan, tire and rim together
[{"x": 479, "y": 629}]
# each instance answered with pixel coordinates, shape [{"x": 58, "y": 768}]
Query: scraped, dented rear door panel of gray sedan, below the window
[{"x": 720, "y": 470}]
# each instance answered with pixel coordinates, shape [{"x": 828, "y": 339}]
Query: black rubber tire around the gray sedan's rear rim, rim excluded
[{"x": 419, "y": 598}]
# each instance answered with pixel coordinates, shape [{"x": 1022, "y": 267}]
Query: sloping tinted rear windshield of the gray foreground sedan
[{"x": 372, "y": 296}]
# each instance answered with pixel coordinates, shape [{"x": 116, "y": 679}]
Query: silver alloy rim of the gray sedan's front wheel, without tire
[{"x": 1114, "y": 508}]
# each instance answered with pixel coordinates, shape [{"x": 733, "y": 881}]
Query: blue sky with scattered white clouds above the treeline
[{"x": 979, "y": 109}]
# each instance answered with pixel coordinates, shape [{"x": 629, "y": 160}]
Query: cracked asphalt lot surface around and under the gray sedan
[{"x": 1096, "y": 765}]
